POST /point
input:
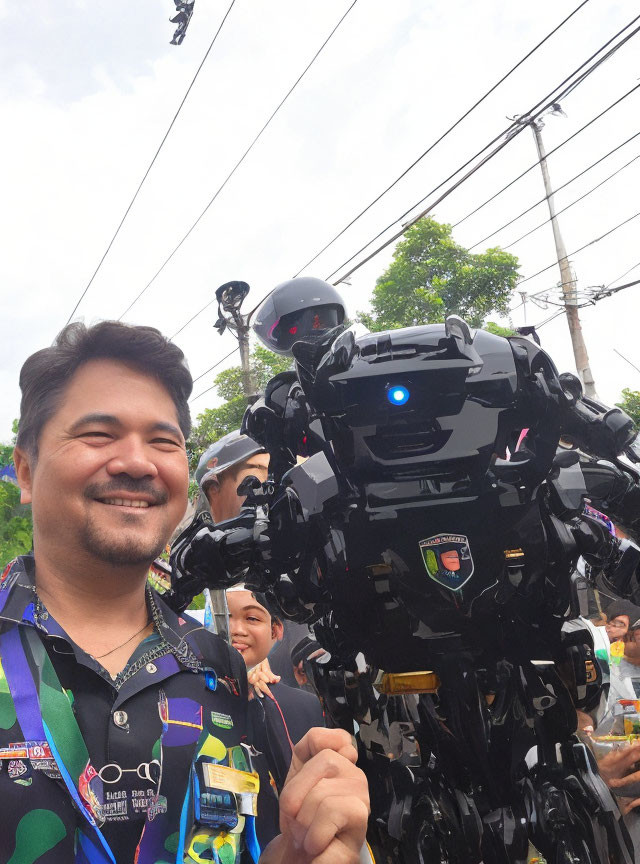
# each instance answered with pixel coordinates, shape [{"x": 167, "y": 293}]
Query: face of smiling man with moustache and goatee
[{"x": 111, "y": 476}]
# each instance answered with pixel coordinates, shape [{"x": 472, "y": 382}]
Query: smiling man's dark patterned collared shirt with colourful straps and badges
[{"x": 151, "y": 767}]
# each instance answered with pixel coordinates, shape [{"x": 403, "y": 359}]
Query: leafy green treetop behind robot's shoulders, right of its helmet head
[{"x": 431, "y": 276}]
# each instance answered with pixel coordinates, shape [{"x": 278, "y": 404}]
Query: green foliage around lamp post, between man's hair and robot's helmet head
[{"x": 213, "y": 423}]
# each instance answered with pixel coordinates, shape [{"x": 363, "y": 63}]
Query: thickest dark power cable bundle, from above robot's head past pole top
[{"x": 511, "y": 132}]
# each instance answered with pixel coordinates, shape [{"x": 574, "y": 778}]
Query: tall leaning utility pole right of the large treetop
[{"x": 568, "y": 281}]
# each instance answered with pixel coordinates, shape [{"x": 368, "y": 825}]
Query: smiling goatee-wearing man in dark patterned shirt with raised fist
[{"x": 122, "y": 726}]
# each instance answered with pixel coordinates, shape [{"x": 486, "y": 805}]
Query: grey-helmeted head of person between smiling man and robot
[{"x": 223, "y": 467}]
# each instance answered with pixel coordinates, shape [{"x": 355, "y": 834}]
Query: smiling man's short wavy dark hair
[{"x": 45, "y": 374}]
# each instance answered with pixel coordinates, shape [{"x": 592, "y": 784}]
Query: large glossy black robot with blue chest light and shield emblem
[{"x": 431, "y": 536}]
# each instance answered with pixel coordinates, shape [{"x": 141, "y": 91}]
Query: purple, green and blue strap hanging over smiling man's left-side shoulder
[{"x": 44, "y": 712}]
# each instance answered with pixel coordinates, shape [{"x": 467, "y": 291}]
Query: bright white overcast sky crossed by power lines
[{"x": 88, "y": 88}]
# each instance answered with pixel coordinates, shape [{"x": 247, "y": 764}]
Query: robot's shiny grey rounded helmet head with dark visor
[{"x": 304, "y": 308}]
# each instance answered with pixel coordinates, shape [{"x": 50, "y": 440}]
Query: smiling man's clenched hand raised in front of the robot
[{"x": 324, "y": 805}]
